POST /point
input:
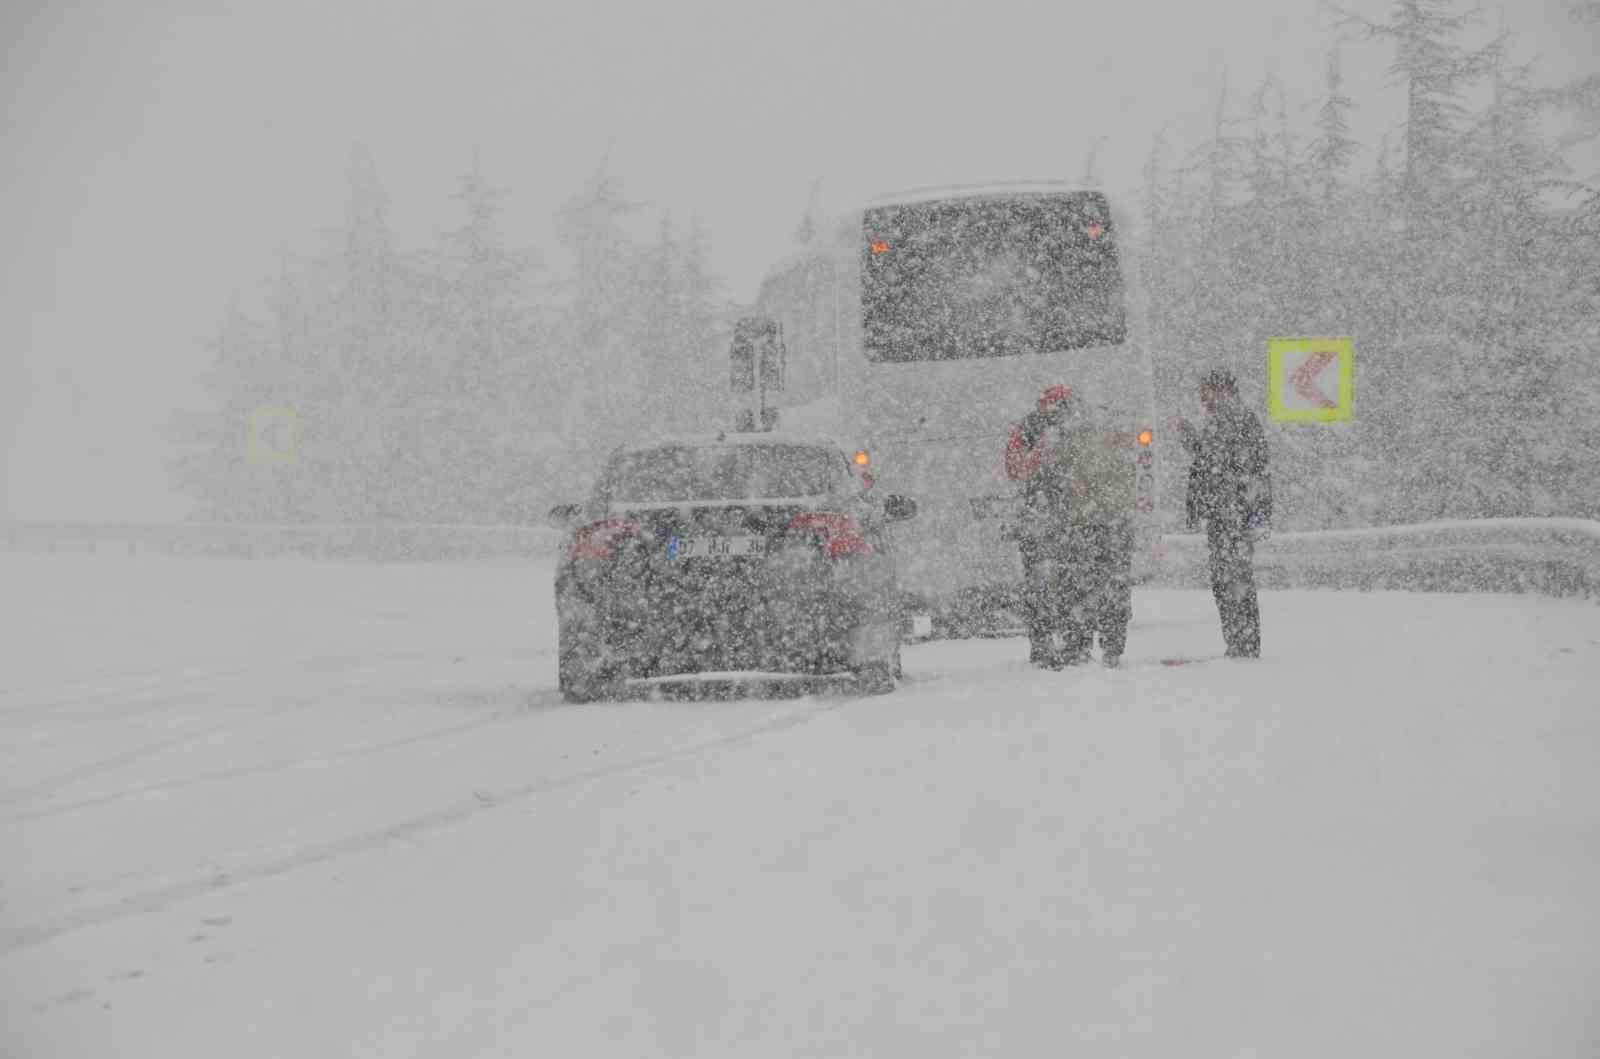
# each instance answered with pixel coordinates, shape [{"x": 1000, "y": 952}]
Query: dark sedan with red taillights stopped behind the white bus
[{"x": 745, "y": 561}]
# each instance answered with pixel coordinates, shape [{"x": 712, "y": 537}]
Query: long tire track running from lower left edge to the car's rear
[{"x": 310, "y": 857}]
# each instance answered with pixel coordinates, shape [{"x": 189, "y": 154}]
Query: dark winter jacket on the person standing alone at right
[{"x": 1230, "y": 484}]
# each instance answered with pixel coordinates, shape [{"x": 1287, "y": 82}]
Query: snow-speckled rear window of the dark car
[{"x": 729, "y": 473}]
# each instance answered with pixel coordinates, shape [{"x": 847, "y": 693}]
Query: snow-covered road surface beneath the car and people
[{"x": 290, "y": 809}]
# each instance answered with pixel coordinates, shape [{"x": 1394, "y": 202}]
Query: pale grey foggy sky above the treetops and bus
[{"x": 159, "y": 158}]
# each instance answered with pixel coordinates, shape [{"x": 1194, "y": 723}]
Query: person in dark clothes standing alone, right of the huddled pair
[{"x": 1231, "y": 492}]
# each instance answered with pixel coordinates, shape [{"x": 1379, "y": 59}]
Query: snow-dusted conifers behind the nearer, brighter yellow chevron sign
[{"x": 1462, "y": 254}]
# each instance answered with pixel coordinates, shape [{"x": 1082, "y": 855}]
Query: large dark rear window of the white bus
[{"x": 990, "y": 278}]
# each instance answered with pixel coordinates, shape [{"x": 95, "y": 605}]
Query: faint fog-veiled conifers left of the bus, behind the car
[{"x": 458, "y": 383}]
